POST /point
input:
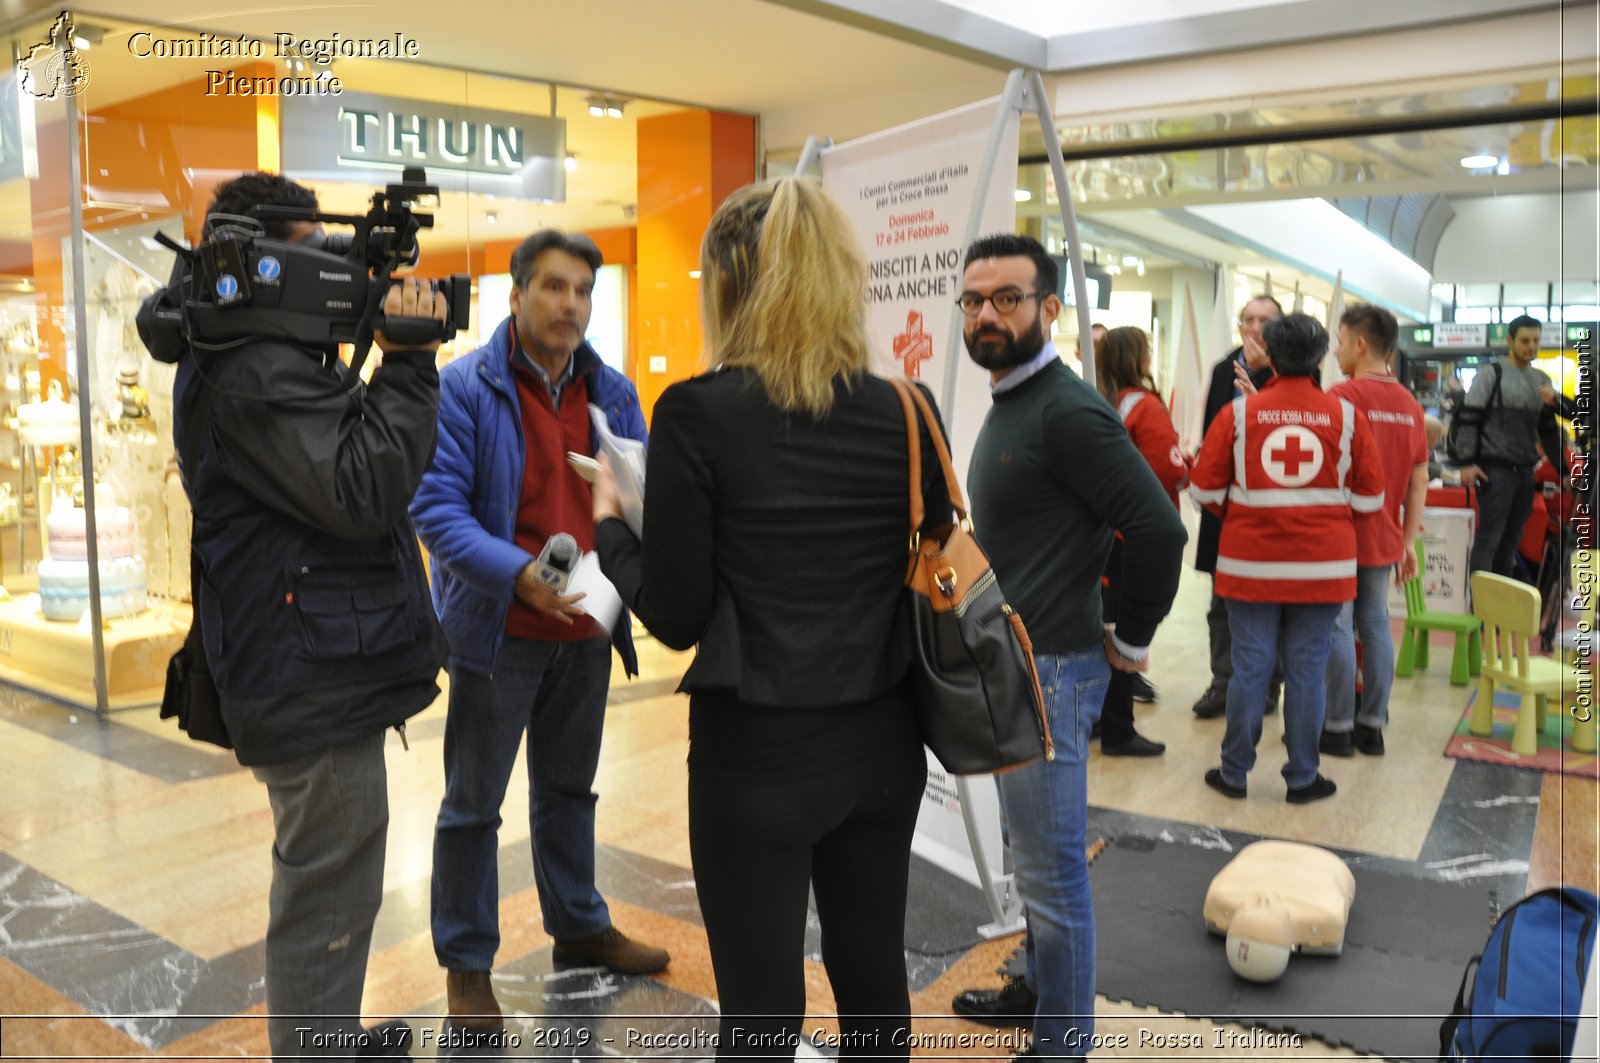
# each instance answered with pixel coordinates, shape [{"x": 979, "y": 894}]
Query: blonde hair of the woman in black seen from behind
[{"x": 783, "y": 292}]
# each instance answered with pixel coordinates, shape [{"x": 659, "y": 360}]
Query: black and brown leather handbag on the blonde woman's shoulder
[{"x": 975, "y": 684}]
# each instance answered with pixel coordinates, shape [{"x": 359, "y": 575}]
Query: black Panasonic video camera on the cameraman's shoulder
[{"x": 241, "y": 286}]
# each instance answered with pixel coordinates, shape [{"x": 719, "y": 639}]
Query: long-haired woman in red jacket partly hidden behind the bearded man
[{"x": 1122, "y": 363}]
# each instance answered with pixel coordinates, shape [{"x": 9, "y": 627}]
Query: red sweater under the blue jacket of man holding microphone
[{"x": 554, "y": 499}]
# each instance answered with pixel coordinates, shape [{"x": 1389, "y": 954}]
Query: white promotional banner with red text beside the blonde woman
[{"x": 911, "y": 193}]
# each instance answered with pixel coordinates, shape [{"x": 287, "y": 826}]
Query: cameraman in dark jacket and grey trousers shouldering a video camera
[{"x": 316, "y": 619}]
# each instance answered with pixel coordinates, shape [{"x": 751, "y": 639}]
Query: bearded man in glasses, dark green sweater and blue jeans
[{"x": 1054, "y": 478}]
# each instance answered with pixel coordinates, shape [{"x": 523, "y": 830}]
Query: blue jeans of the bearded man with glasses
[{"x": 1046, "y": 809}]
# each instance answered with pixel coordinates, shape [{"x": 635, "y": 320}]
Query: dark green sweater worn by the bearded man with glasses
[{"x": 1052, "y": 476}]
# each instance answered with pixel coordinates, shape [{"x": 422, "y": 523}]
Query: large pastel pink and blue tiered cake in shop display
[{"x": 65, "y": 576}]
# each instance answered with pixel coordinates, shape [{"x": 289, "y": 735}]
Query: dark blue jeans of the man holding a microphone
[{"x": 556, "y": 692}]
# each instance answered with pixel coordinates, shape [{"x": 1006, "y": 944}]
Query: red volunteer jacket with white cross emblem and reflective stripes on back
[{"x": 1286, "y": 470}]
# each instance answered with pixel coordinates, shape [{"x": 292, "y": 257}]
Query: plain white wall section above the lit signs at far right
[{"x": 1522, "y": 238}]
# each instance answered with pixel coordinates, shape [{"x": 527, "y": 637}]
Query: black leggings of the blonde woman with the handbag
[{"x": 782, "y": 800}]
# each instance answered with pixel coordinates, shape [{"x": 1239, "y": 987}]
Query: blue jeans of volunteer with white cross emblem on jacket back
[{"x": 1306, "y": 633}]
